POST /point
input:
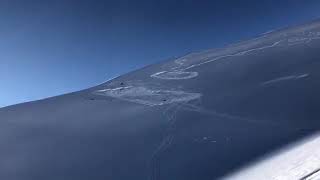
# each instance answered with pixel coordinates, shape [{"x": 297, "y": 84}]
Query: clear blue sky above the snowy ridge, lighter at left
[{"x": 53, "y": 47}]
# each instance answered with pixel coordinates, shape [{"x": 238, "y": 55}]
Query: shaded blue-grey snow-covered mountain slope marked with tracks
[{"x": 198, "y": 117}]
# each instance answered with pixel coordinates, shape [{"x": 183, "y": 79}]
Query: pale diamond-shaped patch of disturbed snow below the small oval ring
[{"x": 147, "y": 96}]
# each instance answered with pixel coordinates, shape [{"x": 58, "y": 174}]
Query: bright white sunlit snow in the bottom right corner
[{"x": 300, "y": 161}]
